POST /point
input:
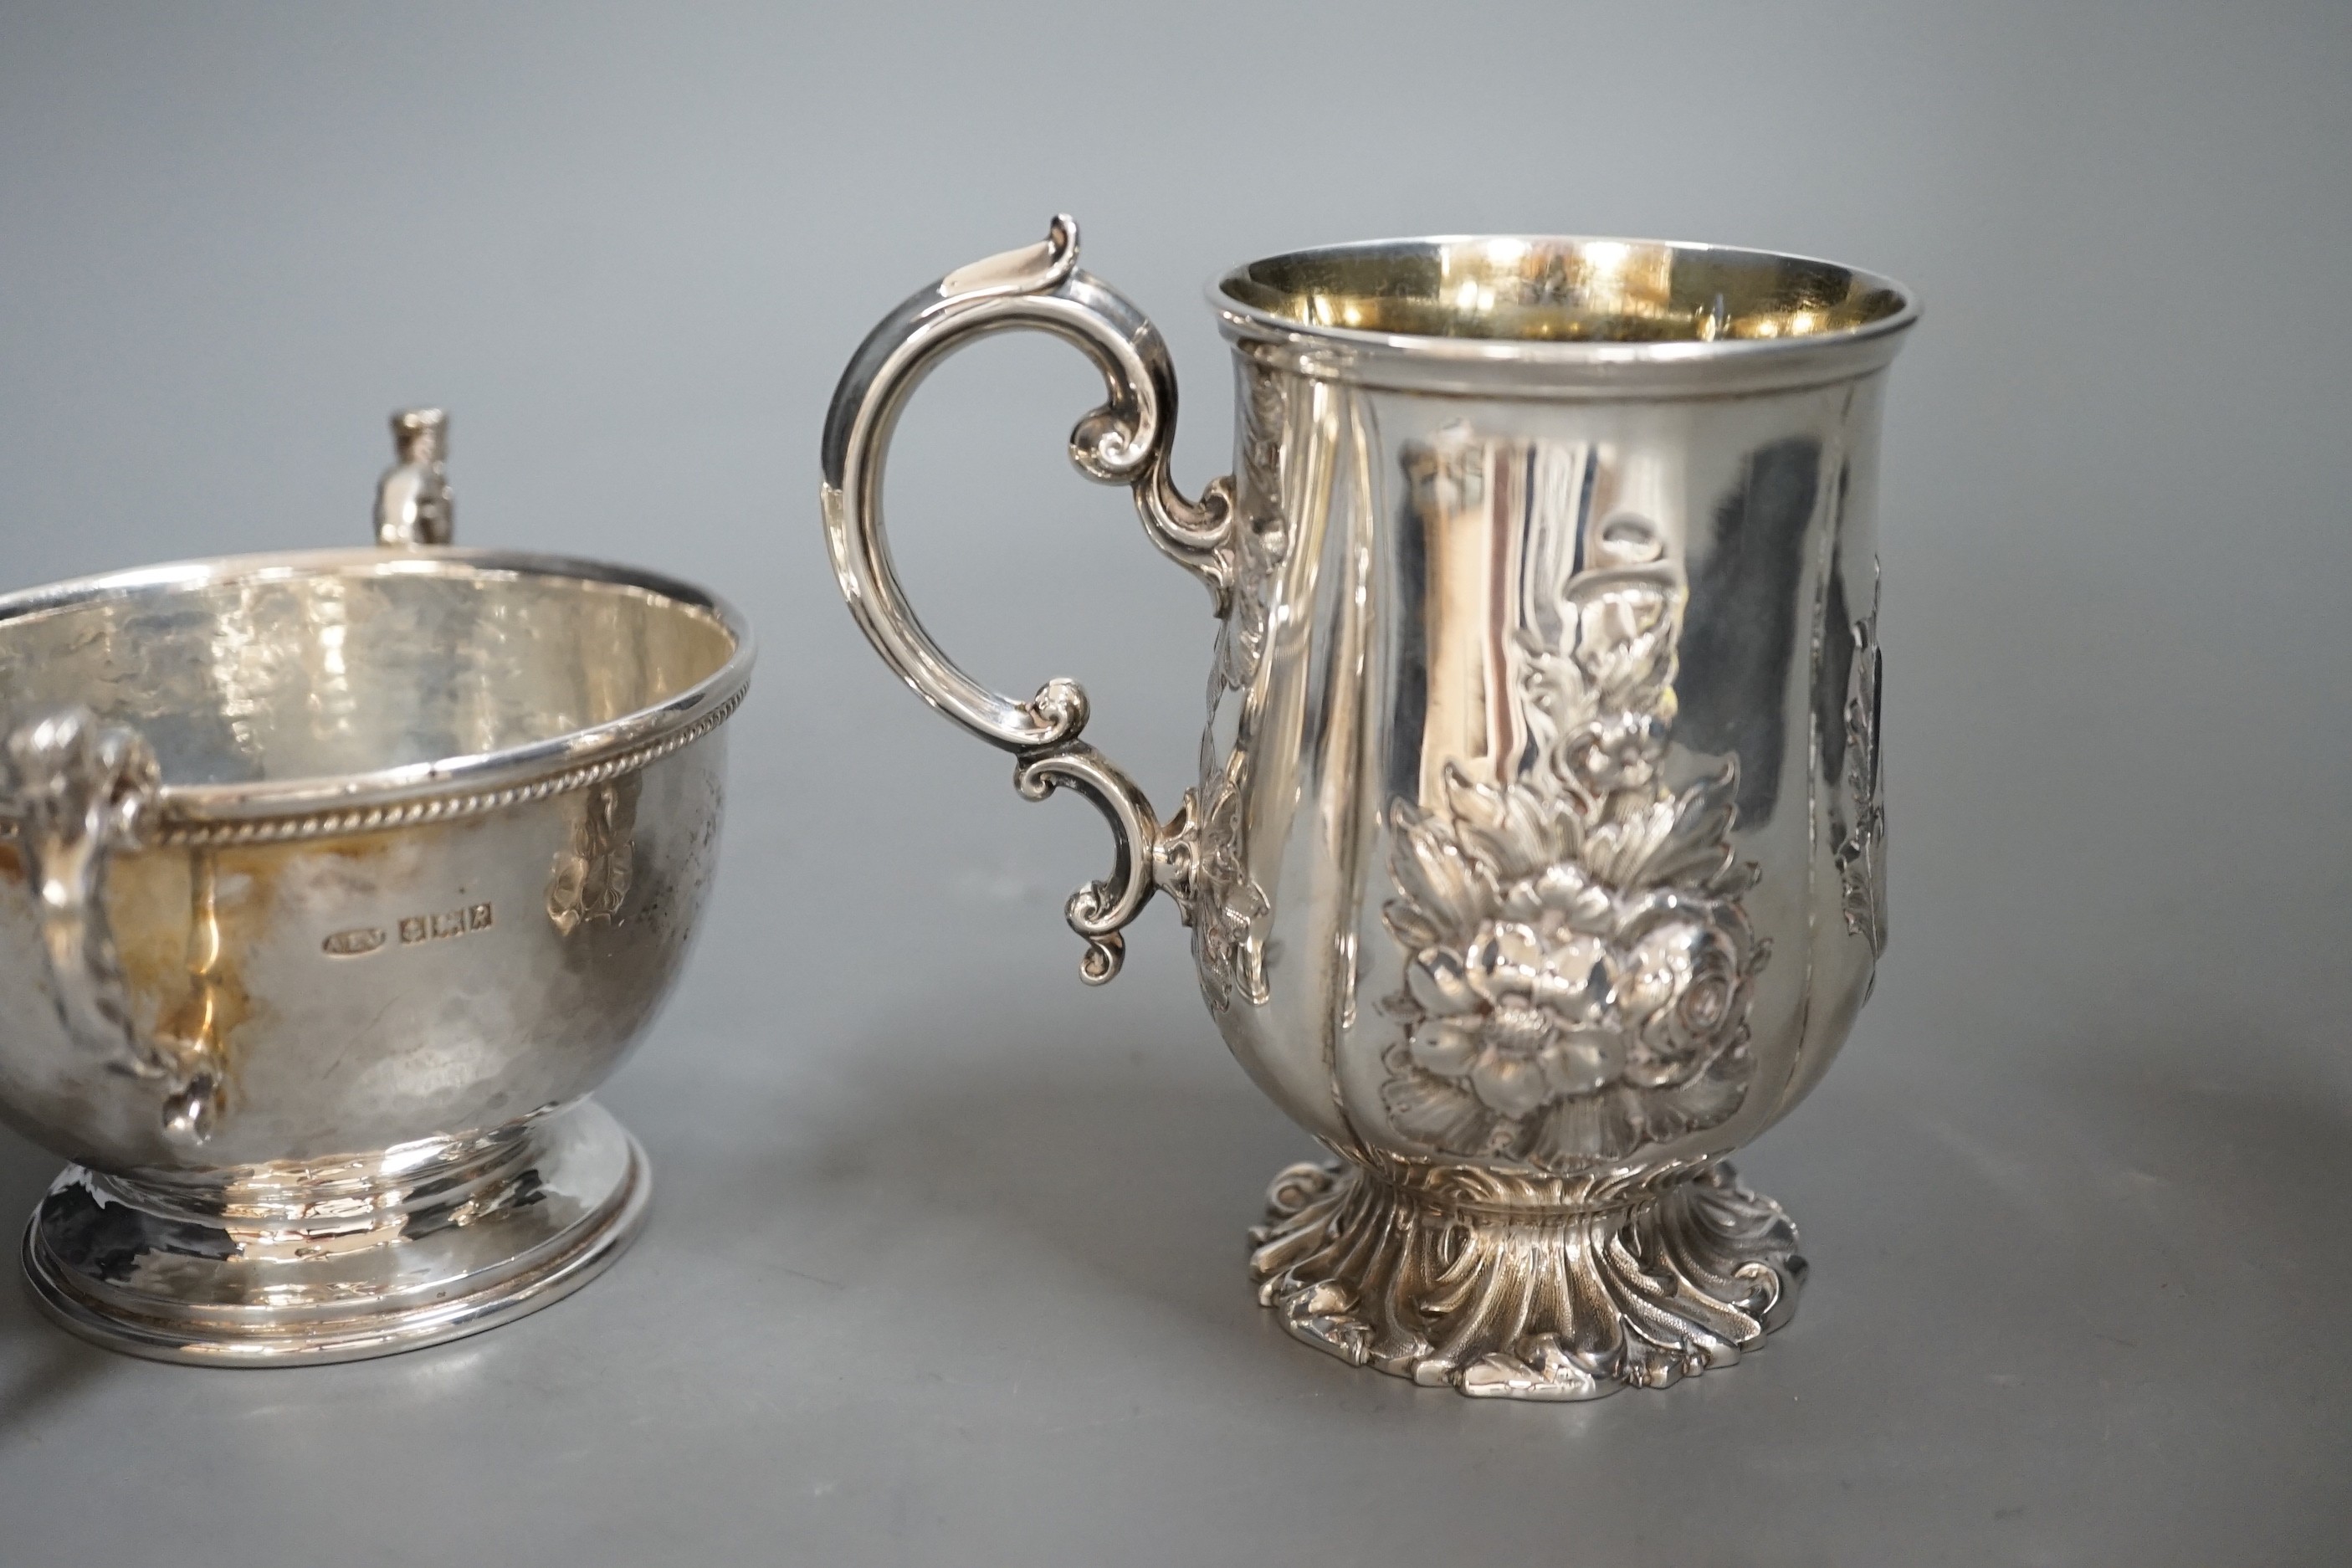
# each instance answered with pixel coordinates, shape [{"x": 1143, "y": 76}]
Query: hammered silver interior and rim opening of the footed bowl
[{"x": 352, "y": 678}]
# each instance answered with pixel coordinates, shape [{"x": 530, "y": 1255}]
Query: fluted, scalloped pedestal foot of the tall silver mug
[{"x": 1448, "y": 1282}]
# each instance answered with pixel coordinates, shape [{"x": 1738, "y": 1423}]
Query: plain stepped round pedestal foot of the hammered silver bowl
[{"x": 338, "y": 1261}]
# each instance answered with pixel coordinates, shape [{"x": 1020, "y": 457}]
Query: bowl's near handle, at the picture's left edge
[{"x": 79, "y": 796}]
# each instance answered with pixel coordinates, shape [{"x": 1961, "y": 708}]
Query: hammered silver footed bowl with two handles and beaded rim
[{"x": 330, "y": 887}]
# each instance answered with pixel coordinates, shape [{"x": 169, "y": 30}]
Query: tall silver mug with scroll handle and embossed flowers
[{"x": 1537, "y": 857}]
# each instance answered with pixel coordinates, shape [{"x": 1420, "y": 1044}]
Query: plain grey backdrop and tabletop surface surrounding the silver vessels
[{"x": 947, "y": 1249}]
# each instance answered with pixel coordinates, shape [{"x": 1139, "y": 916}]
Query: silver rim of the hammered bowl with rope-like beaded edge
[{"x": 448, "y": 786}]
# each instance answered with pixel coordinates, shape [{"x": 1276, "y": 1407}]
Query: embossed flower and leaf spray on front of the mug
[{"x": 1582, "y": 967}]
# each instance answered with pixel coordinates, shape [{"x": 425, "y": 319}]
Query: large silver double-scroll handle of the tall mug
[{"x": 1123, "y": 443}]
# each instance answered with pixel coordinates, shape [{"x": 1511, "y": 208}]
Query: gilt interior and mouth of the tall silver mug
[{"x": 1565, "y": 297}]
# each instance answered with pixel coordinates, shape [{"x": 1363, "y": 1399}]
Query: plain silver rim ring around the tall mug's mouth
[{"x": 1572, "y": 359}]
